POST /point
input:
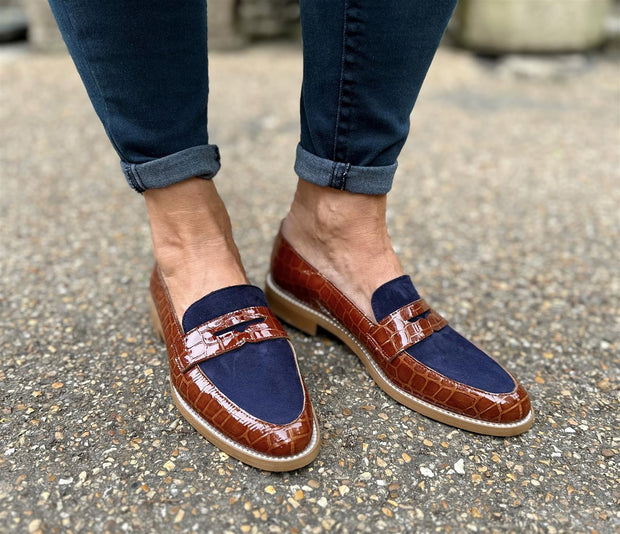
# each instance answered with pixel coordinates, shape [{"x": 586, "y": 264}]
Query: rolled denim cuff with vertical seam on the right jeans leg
[{"x": 344, "y": 176}]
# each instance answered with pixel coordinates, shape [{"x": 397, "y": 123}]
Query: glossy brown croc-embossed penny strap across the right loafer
[{"x": 396, "y": 332}]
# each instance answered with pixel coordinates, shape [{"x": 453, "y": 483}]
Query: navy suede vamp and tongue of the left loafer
[{"x": 261, "y": 378}]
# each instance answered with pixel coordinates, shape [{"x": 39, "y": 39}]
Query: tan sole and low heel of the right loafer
[{"x": 306, "y": 319}]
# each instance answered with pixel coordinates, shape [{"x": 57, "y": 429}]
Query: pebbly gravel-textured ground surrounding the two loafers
[{"x": 504, "y": 211}]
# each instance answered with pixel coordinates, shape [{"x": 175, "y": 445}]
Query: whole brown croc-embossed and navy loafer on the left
[{"x": 235, "y": 379}]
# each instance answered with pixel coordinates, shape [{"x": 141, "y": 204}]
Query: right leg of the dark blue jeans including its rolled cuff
[{"x": 364, "y": 64}]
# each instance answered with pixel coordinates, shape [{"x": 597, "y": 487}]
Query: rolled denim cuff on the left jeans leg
[{"x": 200, "y": 161}]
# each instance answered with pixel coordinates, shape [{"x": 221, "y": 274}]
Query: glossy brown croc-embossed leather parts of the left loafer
[{"x": 186, "y": 351}]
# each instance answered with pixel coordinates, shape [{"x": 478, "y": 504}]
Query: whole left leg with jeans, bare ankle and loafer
[{"x": 234, "y": 374}]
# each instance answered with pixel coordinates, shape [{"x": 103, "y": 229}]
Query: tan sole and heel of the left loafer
[{"x": 231, "y": 447}]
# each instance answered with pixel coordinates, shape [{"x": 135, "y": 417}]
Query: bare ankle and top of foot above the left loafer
[{"x": 192, "y": 241}]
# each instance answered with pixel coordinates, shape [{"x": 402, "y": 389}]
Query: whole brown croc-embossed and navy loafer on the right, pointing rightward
[{"x": 407, "y": 348}]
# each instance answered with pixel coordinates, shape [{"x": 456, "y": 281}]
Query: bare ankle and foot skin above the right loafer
[{"x": 344, "y": 235}]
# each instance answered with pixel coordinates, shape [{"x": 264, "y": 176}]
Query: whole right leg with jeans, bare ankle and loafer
[{"x": 333, "y": 265}]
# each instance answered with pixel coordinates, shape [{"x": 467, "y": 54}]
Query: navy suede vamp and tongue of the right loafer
[{"x": 446, "y": 351}]
